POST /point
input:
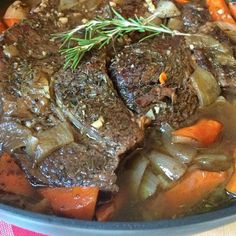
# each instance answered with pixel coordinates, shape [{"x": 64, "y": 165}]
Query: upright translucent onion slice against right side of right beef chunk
[{"x": 206, "y": 86}]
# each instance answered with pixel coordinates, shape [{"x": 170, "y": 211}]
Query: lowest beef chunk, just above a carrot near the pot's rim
[{"x": 76, "y": 164}]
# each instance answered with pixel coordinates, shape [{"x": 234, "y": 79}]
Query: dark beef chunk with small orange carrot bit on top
[{"x": 136, "y": 70}]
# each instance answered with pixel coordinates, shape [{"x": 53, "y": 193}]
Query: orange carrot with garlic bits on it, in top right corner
[{"x": 219, "y": 11}]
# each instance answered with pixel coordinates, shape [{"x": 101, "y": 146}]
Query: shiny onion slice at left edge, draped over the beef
[{"x": 14, "y": 135}]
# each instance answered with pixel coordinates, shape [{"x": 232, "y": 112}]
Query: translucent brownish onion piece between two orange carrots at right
[{"x": 213, "y": 162}]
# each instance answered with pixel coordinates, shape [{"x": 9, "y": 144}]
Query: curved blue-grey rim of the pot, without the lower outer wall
[{"x": 225, "y": 214}]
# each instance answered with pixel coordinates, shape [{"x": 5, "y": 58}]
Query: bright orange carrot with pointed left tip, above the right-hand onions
[{"x": 205, "y": 131}]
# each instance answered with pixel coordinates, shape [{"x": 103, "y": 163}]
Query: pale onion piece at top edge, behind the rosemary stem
[{"x": 166, "y": 9}]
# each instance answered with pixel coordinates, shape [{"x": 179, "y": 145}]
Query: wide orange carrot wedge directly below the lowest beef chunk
[{"x": 76, "y": 202}]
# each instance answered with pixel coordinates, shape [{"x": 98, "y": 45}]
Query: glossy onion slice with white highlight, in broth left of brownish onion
[{"x": 171, "y": 167}]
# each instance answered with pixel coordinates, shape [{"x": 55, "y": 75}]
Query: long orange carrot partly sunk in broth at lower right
[{"x": 194, "y": 187}]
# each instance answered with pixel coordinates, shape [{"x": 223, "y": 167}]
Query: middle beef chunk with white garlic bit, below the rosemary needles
[{"x": 89, "y": 101}]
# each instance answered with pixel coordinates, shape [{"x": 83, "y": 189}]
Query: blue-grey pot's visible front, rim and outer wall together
[{"x": 59, "y": 226}]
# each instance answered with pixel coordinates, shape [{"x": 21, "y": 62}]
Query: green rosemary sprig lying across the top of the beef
[{"x": 100, "y": 32}]
